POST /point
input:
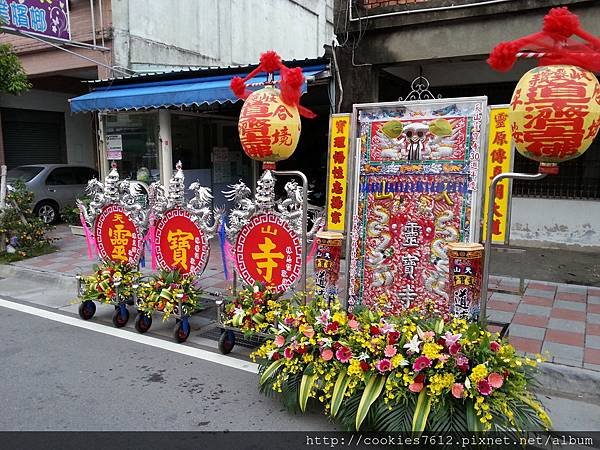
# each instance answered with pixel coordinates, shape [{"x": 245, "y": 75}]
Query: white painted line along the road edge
[{"x": 134, "y": 337}]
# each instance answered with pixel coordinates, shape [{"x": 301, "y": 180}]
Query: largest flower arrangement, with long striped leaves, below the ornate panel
[{"x": 408, "y": 372}]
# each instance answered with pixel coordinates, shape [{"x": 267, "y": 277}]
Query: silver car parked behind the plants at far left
[{"x": 54, "y": 186}]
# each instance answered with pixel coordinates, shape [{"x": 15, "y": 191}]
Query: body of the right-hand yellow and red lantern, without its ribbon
[{"x": 555, "y": 114}]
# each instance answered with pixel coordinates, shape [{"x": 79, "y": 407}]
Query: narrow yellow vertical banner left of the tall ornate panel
[{"x": 339, "y": 135}]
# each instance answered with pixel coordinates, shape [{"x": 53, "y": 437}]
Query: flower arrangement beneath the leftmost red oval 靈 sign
[{"x": 100, "y": 286}]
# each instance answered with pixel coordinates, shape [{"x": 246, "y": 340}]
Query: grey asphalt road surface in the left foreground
[{"x": 60, "y": 377}]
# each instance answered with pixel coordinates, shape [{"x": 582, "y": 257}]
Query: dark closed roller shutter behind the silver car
[{"x": 33, "y": 137}]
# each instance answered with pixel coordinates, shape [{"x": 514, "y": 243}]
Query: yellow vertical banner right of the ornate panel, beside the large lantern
[{"x": 500, "y": 155}]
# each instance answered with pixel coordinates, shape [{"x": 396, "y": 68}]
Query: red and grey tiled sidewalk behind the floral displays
[{"x": 560, "y": 319}]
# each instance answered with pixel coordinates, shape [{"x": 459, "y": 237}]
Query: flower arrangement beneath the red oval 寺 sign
[{"x": 253, "y": 309}]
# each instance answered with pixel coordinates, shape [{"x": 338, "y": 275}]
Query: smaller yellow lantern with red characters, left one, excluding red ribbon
[{"x": 269, "y": 129}]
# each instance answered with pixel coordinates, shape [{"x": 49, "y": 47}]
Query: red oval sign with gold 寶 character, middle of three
[{"x": 180, "y": 244}]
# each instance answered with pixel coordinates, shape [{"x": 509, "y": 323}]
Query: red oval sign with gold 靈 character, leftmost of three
[{"x": 117, "y": 237}]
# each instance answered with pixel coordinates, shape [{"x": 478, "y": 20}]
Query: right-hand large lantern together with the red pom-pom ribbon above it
[{"x": 555, "y": 109}]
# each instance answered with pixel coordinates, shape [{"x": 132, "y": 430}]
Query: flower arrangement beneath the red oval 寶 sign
[{"x": 163, "y": 291}]
